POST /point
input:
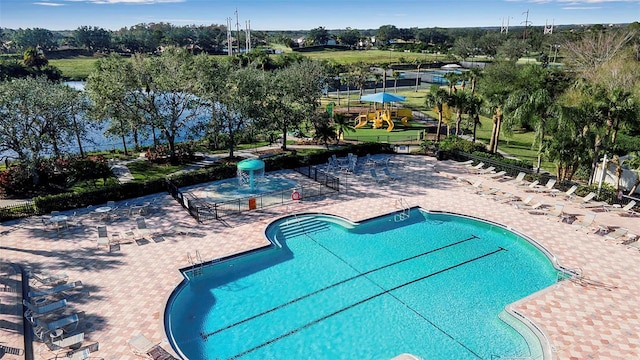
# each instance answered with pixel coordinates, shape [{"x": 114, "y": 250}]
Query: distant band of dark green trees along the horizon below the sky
[{"x": 212, "y": 39}]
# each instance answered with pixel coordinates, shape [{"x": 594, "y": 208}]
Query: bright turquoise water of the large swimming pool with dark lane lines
[{"x": 432, "y": 285}]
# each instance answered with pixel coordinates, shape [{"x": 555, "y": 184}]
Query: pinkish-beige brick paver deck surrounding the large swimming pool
[{"x": 594, "y": 318}]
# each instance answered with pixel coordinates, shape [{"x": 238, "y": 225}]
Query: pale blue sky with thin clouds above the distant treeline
[{"x": 309, "y": 14}]
